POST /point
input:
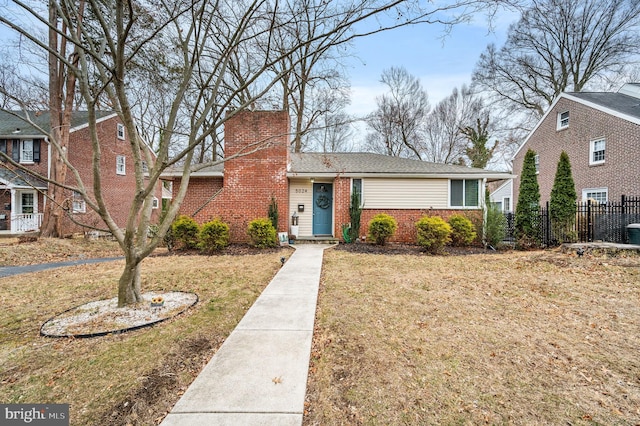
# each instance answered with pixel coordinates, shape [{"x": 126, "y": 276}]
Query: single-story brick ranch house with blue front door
[{"x": 317, "y": 187}]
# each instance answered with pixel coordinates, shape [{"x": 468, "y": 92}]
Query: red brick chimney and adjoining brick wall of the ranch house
[{"x": 249, "y": 180}]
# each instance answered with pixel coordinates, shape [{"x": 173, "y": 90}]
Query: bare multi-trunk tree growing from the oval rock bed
[{"x": 206, "y": 39}]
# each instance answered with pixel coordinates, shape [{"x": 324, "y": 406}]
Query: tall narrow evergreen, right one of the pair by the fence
[{"x": 562, "y": 205}]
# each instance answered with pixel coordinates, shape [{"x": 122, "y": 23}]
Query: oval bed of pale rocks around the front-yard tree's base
[{"x": 103, "y": 317}]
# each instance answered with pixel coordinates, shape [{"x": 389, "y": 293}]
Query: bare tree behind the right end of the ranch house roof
[{"x": 443, "y": 140}]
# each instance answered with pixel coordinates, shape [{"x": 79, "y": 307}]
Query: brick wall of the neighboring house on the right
[{"x": 621, "y": 169}]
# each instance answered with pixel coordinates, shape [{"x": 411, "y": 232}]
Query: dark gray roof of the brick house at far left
[{"x": 13, "y": 124}]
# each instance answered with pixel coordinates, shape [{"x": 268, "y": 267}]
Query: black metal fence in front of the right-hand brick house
[{"x": 594, "y": 222}]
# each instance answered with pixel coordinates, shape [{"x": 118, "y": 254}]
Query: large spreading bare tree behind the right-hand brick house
[{"x": 557, "y": 46}]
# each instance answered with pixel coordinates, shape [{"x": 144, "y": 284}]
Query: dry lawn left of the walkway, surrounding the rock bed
[{"x": 131, "y": 378}]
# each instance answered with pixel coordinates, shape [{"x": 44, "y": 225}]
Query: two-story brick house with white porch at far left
[{"x": 22, "y": 195}]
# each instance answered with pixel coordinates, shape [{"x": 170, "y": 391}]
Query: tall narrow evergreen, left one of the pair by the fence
[{"x": 528, "y": 207}]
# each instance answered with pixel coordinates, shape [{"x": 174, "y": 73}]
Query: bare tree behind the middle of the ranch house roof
[{"x": 398, "y": 122}]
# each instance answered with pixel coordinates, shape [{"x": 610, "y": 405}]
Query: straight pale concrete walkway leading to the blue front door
[{"x": 259, "y": 374}]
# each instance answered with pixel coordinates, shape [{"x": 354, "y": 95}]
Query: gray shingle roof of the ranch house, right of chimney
[{"x": 362, "y": 163}]
